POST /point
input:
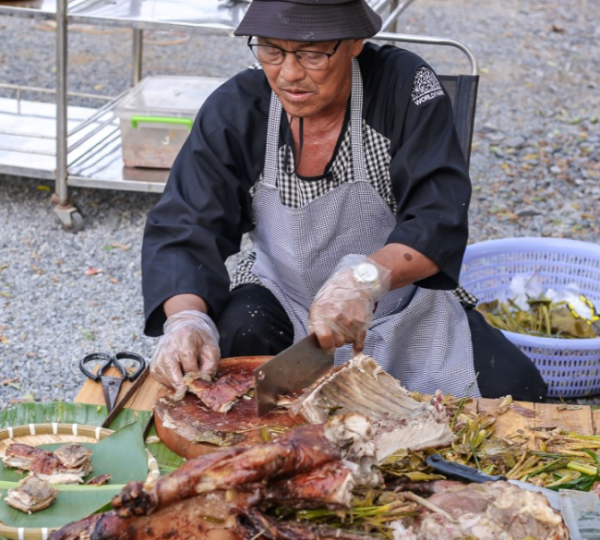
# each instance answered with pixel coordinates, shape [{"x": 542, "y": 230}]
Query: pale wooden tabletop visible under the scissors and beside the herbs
[{"x": 522, "y": 416}]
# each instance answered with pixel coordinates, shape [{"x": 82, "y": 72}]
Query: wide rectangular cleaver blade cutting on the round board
[{"x": 290, "y": 372}]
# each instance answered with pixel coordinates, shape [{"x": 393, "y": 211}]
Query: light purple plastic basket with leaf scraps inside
[{"x": 571, "y": 367}]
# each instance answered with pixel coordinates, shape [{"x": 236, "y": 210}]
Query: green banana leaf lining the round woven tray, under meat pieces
[{"x": 122, "y": 454}]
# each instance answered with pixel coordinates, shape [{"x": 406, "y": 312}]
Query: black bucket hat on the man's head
[{"x": 309, "y": 20}]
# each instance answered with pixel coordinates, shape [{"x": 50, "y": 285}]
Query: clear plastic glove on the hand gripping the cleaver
[{"x": 342, "y": 310}]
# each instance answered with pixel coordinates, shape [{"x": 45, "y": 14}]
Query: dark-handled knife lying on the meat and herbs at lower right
[{"x": 580, "y": 510}]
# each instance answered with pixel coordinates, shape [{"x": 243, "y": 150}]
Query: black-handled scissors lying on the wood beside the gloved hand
[{"x": 111, "y": 386}]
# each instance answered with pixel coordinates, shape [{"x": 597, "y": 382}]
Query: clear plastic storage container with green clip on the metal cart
[{"x": 157, "y": 116}]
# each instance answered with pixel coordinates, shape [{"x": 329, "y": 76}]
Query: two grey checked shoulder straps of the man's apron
[{"x": 356, "y": 102}]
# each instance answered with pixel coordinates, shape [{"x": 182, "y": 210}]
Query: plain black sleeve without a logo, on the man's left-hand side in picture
[{"x": 206, "y": 205}]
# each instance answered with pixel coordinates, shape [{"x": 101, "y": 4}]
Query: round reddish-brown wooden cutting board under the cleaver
[{"x": 185, "y": 426}]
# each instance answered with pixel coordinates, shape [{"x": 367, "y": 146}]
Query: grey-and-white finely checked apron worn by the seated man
[{"x": 418, "y": 335}]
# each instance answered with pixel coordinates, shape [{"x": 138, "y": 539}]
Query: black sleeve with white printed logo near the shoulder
[{"x": 429, "y": 175}]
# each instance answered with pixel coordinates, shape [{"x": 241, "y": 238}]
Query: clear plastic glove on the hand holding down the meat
[{"x": 190, "y": 343}]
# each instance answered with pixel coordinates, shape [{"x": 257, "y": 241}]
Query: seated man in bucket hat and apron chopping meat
[{"x": 341, "y": 160}]
